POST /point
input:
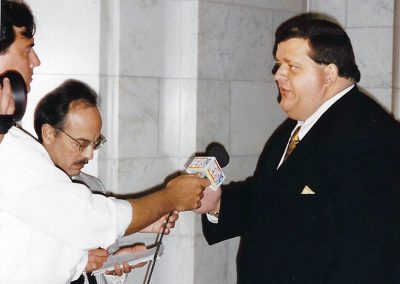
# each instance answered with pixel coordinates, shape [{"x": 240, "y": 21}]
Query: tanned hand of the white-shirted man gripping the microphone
[{"x": 186, "y": 191}]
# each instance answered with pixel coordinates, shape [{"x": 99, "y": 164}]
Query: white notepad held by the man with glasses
[{"x": 131, "y": 258}]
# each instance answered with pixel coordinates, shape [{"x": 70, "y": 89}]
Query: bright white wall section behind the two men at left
[{"x": 67, "y": 43}]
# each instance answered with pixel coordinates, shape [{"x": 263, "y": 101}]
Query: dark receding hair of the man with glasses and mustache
[{"x": 53, "y": 107}]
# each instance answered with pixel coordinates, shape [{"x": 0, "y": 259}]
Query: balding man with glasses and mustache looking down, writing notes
[{"x": 68, "y": 124}]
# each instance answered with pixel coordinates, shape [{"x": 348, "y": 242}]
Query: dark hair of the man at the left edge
[{"x": 15, "y": 14}]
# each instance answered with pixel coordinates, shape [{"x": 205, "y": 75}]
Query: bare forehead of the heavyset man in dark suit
[{"x": 291, "y": 49}]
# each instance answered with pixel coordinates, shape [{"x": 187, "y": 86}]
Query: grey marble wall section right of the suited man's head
[{"x": 369, "y": 24}]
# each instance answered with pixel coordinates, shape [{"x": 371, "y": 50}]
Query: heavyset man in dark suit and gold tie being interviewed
[{"x": 323, "y": 205}]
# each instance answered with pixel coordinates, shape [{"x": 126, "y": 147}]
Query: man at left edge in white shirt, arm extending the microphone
[{"x": 41, "y": 210}]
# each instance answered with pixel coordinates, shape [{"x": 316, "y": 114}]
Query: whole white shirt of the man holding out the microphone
[{"x": 47, "y": 223}]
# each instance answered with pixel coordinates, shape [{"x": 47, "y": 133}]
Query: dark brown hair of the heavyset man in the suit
[{"x": 328, "y": 41}]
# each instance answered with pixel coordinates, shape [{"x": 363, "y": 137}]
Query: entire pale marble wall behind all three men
[{"x": 174, "y": 75}]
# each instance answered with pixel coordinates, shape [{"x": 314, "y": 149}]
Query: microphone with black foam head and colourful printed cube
[{"x": 210, "y": 165}]
